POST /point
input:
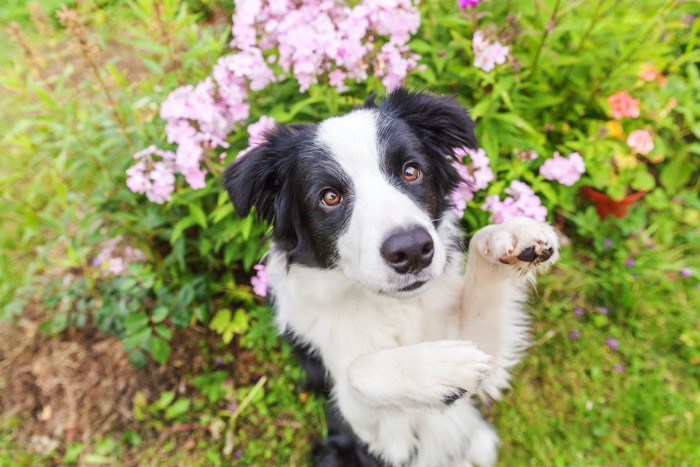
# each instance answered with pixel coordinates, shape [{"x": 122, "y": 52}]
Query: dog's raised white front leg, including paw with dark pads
[{"x": 502, "y": 265}]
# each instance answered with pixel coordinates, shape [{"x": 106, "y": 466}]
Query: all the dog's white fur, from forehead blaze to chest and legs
[{"x": 394, "y": 357}]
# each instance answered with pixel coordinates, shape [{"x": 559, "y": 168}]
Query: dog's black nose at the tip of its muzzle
[{"x": 408, "y": 250}]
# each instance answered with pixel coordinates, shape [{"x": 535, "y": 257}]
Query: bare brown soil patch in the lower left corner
[{"x": 79, "y": 386}]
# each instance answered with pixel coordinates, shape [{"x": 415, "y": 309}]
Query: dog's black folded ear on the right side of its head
[{"x": 439, "y": 121}]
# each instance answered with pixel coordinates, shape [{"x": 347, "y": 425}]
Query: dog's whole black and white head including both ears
[{"x": 365, "y": 192}]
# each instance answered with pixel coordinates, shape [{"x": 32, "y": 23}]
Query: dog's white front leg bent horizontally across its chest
[{"x": 378, "y": 391}]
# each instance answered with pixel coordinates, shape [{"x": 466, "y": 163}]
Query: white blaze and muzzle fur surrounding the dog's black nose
[{"x": 379, "y": 207}]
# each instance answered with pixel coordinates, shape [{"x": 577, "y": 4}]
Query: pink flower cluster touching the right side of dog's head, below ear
[{"x": 475, "y": 176}]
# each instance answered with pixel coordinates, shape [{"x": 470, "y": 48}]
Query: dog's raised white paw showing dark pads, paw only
[{"x": 520, "y": 242}]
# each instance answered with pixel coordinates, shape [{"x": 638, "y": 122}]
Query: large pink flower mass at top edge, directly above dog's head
[{"x": 311, "y": 37}]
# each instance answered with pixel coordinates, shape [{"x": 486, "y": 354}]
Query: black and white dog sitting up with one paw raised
[{"x": 368, "y": 274}]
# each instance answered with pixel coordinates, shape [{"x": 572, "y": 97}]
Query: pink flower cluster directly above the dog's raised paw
[{"x": 521, "y": 202}]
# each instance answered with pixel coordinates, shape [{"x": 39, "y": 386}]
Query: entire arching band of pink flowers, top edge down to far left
[{"x": 307, "y": 38}]
